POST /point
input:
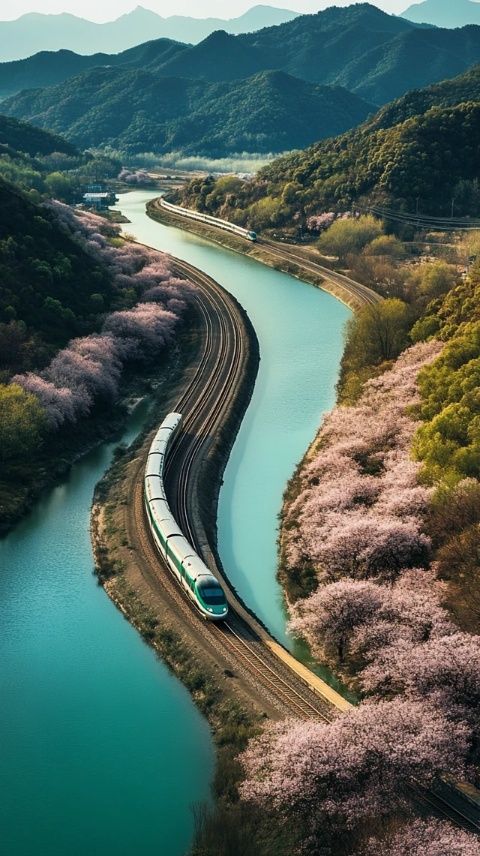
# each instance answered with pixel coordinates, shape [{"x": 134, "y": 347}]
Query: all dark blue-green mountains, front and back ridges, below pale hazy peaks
[{"x": 267, "y": 91}]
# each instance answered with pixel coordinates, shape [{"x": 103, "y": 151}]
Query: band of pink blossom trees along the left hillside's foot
[{"x": 89, "y": 368}]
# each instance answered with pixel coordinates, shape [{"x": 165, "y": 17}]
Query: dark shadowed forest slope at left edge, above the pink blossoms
[{"x": 50, "y": 290}]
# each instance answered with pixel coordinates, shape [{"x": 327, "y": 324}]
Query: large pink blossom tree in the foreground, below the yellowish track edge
[{"x": 352, "y": 769}]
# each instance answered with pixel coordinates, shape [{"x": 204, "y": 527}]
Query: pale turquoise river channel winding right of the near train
[{"x": 300, "y": 331}]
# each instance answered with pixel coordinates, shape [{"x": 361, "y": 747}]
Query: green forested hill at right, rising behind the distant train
[{"x": 409, "y": 153}]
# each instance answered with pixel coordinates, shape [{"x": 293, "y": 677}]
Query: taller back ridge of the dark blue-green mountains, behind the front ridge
[{"x": 375, "y": 55}]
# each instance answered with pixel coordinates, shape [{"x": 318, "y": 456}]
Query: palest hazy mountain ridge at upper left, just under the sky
[{"x": 37, "y": 32}]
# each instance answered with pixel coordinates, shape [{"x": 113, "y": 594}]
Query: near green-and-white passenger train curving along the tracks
[{"x": 191, "y": 572}]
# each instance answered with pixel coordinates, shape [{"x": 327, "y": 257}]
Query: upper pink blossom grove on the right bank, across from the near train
[{"x": 360, "y": 510}]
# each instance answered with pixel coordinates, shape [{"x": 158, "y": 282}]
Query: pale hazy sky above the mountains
[{"x": 107, "y": 10}]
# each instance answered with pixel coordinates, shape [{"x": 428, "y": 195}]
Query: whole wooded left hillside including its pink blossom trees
[{"x": 78, "y": 305}]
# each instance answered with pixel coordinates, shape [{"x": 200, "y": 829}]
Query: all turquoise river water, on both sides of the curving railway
[{"x": 103, "y": 751}]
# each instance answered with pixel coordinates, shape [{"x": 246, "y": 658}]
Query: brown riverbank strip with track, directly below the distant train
[{"x": 299, "y": 265}]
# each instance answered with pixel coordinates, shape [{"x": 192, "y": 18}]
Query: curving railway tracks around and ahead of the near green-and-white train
[{"x": 205, "y": 403}]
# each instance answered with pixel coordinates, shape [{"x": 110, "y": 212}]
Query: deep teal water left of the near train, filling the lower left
[{"x": 103, "y": 752}]
